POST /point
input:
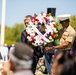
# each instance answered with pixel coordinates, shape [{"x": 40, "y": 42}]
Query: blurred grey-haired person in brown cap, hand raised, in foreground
[{"x": 20, "y": 60}]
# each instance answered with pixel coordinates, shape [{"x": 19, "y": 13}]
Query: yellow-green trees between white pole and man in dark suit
[{"x": 13, "y": 35}]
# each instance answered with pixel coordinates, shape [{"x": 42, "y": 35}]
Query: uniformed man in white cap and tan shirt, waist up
[{"x": 66, "y": 35}]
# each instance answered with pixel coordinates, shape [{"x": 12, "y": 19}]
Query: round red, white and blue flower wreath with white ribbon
[{"x": 34, "y": 36}]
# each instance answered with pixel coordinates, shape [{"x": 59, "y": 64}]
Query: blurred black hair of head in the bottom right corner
[{"x": 69, "y": 68}]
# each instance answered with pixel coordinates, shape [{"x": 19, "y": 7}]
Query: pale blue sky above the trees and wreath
[{"x": 16, "y": 10}]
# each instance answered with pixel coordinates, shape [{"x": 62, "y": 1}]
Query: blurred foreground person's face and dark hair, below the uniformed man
[{"x": 59, "y": 61}]
